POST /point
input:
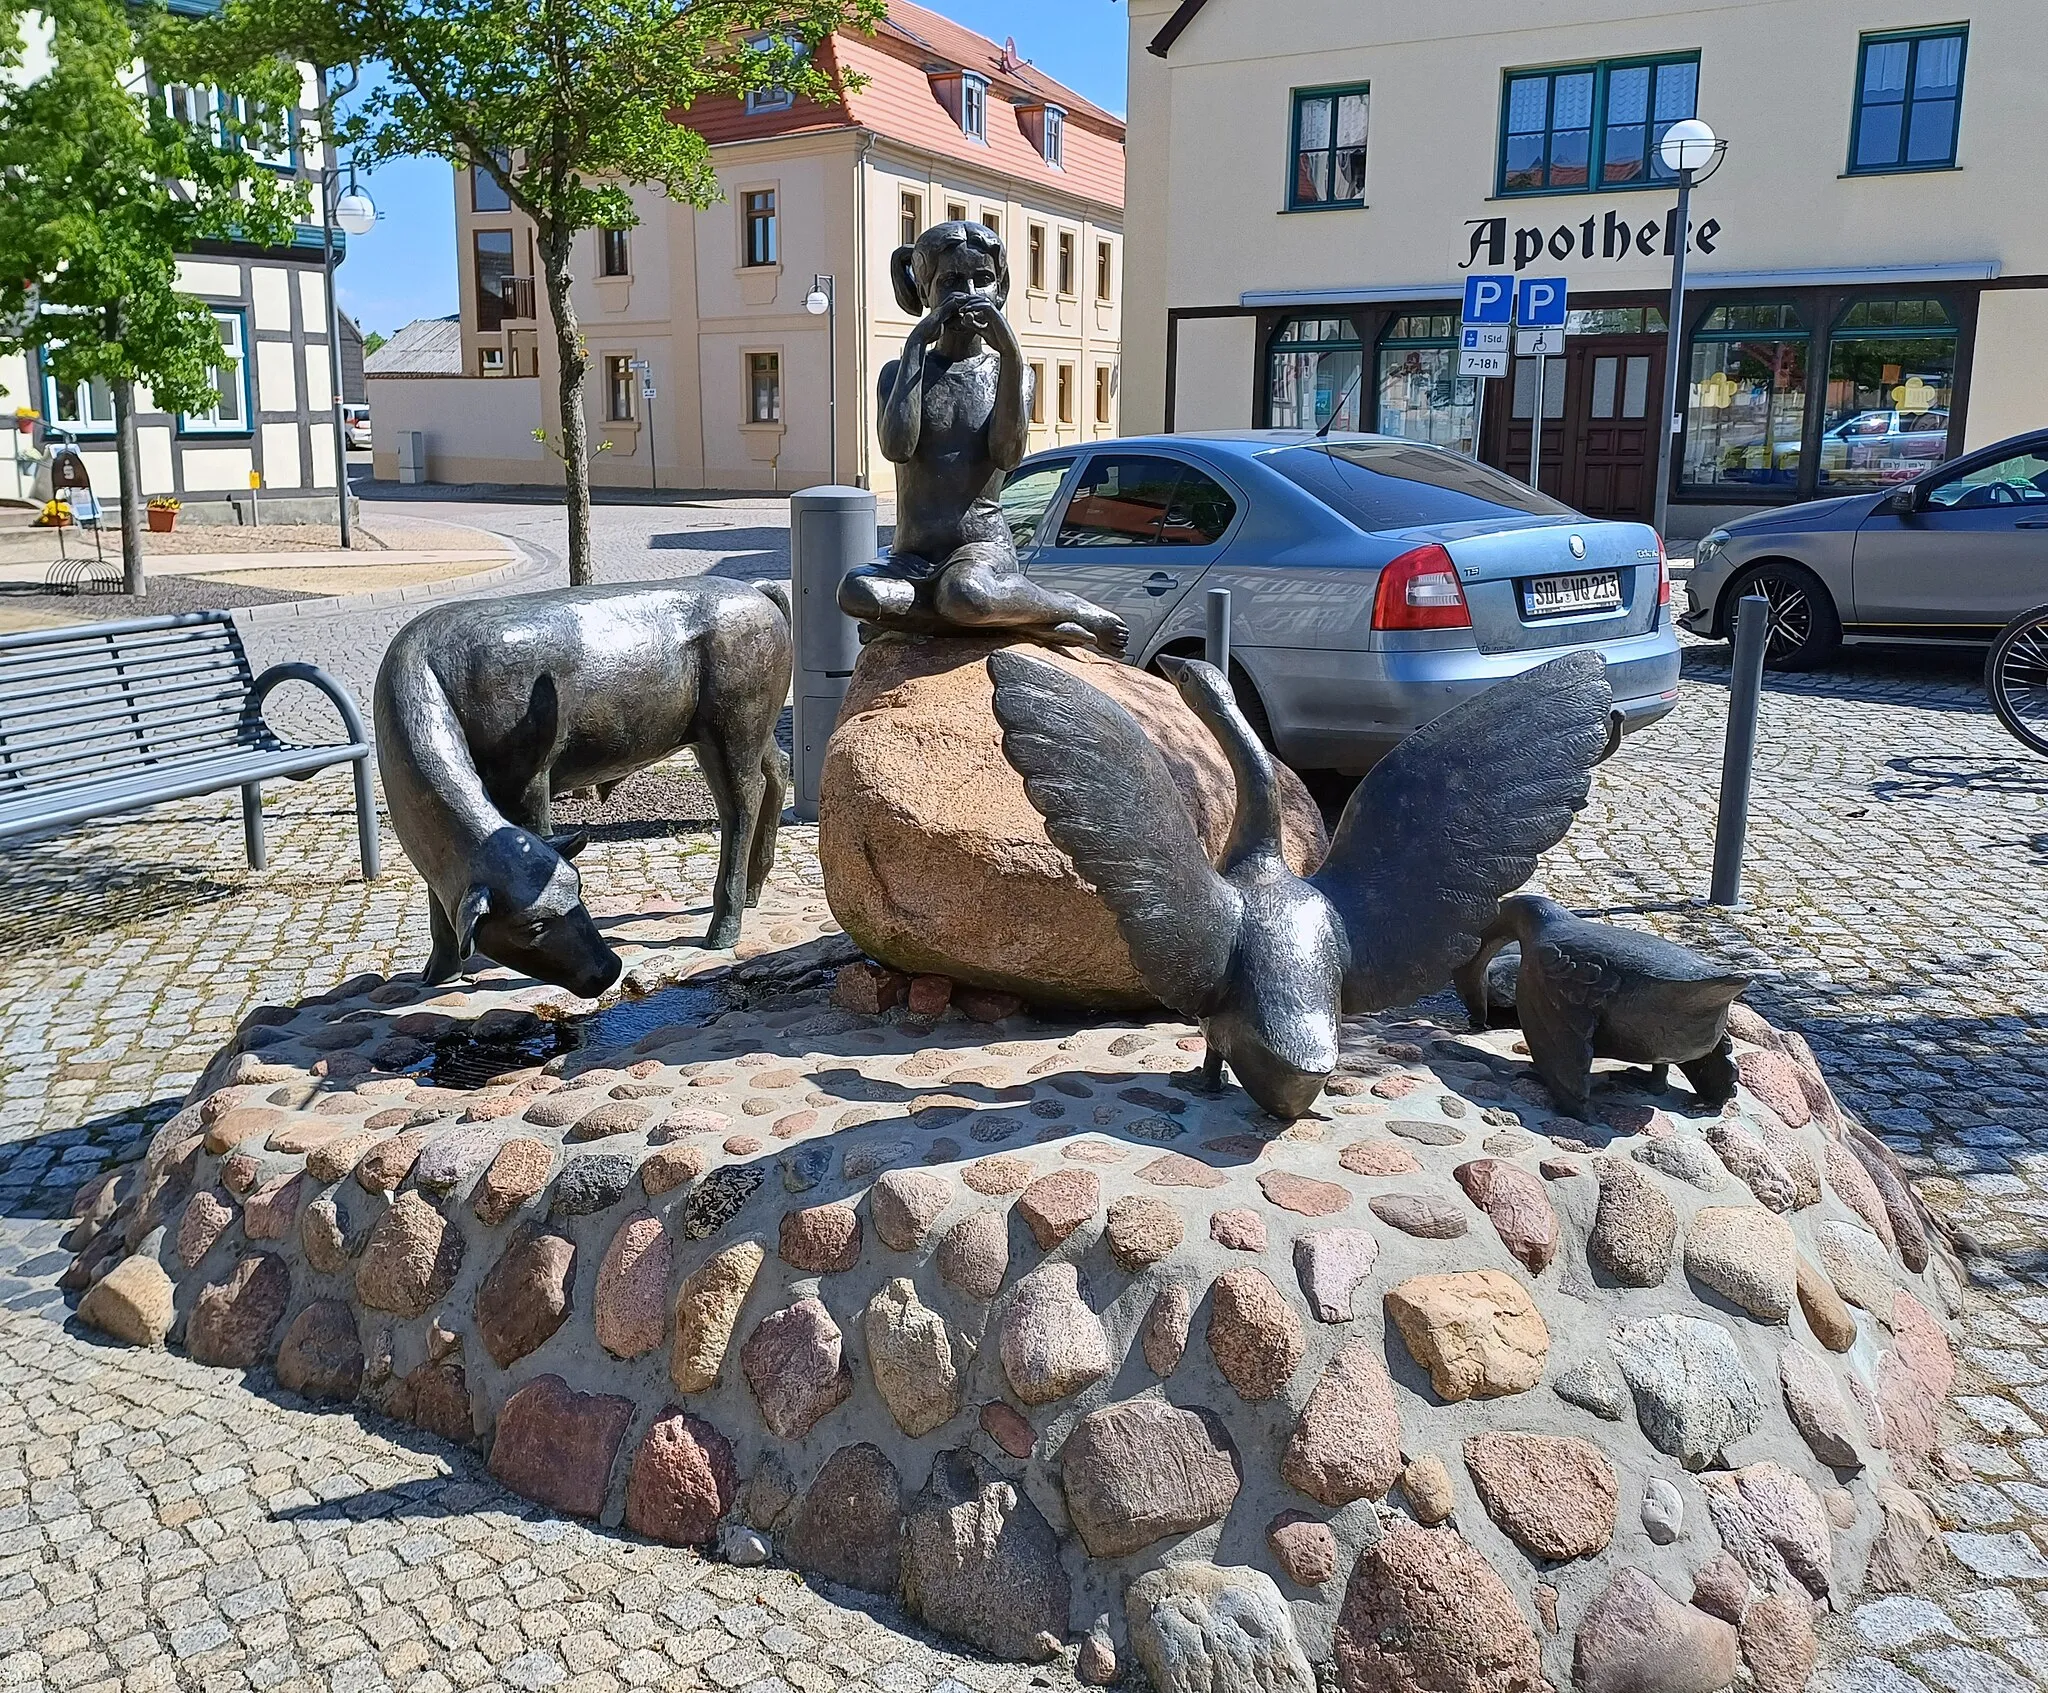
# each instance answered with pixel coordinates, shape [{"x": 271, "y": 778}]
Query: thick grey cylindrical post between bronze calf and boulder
[{"x": 830, "y": 531}]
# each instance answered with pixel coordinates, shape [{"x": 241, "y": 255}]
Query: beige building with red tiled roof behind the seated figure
[{"x": 751, "y": 388}]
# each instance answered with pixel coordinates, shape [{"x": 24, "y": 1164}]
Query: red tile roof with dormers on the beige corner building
[{"x": 900, "y": 103}]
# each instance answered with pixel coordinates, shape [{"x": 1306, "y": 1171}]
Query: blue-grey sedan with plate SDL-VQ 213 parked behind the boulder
[{"x": 1375, "y": 582}]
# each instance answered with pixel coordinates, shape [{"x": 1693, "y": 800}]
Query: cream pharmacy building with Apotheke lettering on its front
[{"x": 1869, "y": 290}]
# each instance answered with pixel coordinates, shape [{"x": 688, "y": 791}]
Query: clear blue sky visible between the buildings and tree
[{"x": 404, "y": 267}]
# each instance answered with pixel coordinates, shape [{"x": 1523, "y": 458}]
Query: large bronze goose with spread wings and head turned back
[{"x": 1267, "y": 961}]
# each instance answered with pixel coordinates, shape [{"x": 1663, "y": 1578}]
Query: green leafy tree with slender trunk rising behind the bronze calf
[{"x": 564, "y": 103}]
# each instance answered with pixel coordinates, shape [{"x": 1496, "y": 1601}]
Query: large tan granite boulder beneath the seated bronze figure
[{"x": 935, "y": 859}]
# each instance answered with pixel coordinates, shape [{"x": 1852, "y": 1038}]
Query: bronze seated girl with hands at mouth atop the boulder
[{"x": 955, "y": 415}]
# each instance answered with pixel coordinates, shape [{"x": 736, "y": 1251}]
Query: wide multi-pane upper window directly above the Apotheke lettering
[{"x": 1594, "y": 126}]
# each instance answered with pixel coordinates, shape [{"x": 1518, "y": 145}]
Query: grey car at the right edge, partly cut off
[{"x": 1947, "y": 558}]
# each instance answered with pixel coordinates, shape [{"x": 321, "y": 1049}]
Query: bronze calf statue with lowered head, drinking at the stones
[{"x": 488, "y": 709}]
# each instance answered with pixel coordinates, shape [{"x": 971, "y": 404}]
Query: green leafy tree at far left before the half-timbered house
[{"x": 101, "y": 189}]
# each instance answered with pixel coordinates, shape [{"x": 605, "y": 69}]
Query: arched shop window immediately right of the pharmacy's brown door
[{"x": 1746, "y": 398}]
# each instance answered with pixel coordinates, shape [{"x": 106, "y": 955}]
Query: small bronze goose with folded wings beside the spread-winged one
[{"x": 1592, "y": 992}]
